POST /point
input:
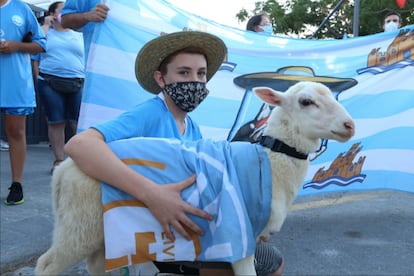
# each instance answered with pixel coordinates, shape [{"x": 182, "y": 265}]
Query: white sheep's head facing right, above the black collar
[{"x": 311, "y": 109}]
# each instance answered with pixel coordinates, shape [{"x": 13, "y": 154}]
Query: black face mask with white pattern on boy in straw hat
[{"x": 186, "y": 95}]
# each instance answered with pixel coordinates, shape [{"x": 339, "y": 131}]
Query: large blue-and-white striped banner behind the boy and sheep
[{"x": 371, "y": 76}]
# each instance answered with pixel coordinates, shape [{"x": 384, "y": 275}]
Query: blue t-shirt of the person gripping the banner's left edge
[{"x": 76, "y": 6}]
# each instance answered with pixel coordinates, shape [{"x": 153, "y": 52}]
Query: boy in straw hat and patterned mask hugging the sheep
[{"x": 175, "y": 68}]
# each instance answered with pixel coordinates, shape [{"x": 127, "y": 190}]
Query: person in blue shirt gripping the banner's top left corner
[{"x": 84, "y": 15}]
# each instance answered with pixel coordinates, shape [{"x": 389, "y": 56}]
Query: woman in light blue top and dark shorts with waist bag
[{"x": 60, "y": 66}]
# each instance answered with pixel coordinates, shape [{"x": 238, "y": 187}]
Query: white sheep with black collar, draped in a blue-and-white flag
[{"x": 306, "y": 113}]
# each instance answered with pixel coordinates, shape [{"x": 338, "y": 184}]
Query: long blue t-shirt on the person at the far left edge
[{"x": 16, "y": 81}]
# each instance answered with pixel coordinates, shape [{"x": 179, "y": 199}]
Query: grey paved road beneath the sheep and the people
[{"x": 349, "y": 233}]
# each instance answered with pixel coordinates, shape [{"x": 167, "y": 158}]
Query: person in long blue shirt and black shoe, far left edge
[{"x": 20, "y": 36}]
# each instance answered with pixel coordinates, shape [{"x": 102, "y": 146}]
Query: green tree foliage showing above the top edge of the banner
[{"x": 301, "y": 18}]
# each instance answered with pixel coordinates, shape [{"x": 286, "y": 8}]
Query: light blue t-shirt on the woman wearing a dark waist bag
[{"x": 65, "y": 55}]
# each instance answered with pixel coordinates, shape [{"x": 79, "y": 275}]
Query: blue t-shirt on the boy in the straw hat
[{"x": 148, "y": 119}]
